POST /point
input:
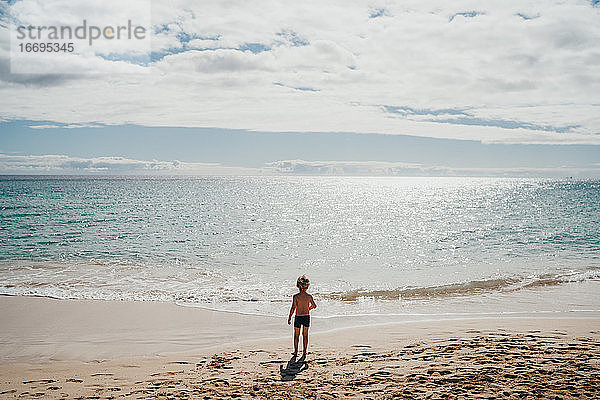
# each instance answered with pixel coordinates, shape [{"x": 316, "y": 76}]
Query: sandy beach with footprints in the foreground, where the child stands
[{"x": 105, "y": 350}]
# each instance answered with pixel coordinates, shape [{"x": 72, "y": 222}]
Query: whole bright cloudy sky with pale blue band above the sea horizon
[{"x": 277, "y": 87}]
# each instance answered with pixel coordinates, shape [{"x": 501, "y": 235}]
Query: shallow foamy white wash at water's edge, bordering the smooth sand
[{"x": 578, "y": 296}]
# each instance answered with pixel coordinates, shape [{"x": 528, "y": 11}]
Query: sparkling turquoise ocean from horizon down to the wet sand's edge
[{"x": 378, "y": 247}]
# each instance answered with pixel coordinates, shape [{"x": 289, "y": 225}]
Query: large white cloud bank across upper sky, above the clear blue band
[{"x": 519, "y": 80}]
